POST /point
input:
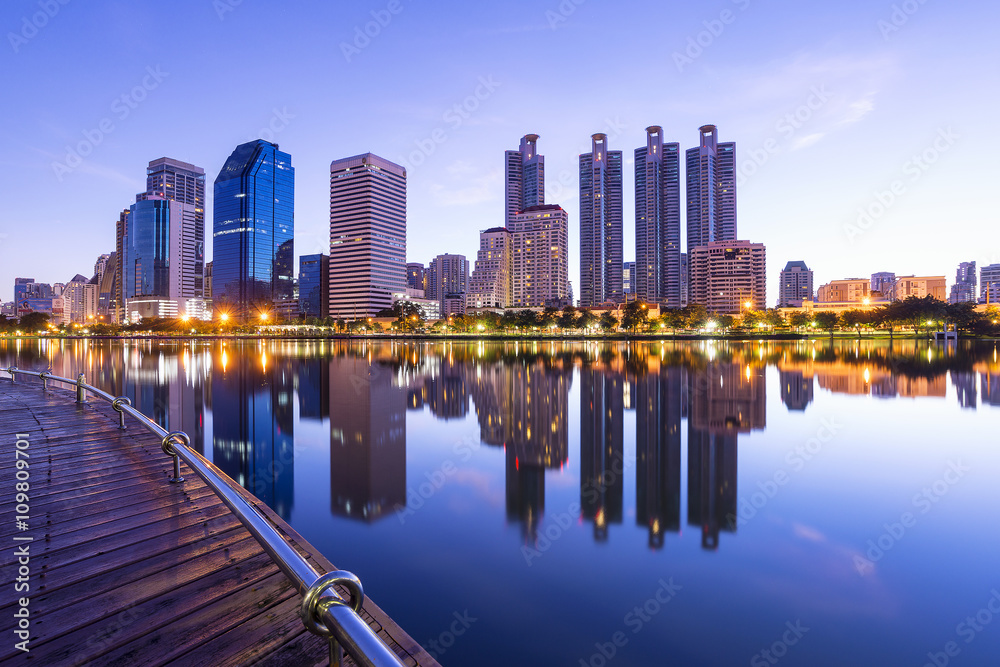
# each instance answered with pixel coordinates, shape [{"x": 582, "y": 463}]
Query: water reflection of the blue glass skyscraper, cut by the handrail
[{"x": 254, "y": 418}]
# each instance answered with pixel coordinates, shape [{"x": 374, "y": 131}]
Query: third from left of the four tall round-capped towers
[{"x": 657, "y": 277}]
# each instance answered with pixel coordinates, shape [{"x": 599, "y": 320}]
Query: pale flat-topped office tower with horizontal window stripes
[{"x": 367, "y": 235}]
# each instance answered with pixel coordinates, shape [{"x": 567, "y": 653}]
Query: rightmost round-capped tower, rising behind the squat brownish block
[{"x": 711, "y": 190}]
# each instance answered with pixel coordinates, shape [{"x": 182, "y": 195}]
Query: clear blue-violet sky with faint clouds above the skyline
[{"x": 869, "y": 85}]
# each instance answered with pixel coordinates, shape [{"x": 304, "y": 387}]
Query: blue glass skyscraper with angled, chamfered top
[{"x": 253, "y": 230}]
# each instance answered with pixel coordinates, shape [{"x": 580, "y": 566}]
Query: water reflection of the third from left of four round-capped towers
[{"x": 658, "y": 453}]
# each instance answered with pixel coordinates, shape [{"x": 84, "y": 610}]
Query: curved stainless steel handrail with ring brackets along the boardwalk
[{"x": 324, "y": 612}]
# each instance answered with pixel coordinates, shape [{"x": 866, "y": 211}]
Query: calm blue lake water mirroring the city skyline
[{"x": 580, "y": 503}]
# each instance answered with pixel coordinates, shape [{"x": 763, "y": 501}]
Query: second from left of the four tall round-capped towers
[{"x": 600, "y": 224}]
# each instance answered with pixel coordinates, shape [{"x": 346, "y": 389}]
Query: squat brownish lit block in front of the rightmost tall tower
[{"x": 725, "y": 275}]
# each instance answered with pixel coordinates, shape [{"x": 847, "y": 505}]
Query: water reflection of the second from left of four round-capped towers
[{"x": 602, "y": 454}]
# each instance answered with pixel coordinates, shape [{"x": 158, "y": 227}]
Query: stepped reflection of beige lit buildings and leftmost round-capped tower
[{"x": 523, "y": 407}]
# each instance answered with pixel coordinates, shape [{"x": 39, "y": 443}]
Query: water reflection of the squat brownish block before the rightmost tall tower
[{"x": 727, "y": 398}]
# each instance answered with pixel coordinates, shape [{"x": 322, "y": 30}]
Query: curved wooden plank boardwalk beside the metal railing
[{"x": 128, "y": 569}]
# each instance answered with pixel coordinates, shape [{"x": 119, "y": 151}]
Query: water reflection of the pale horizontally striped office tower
[{"x": 367, "y": 439}]
